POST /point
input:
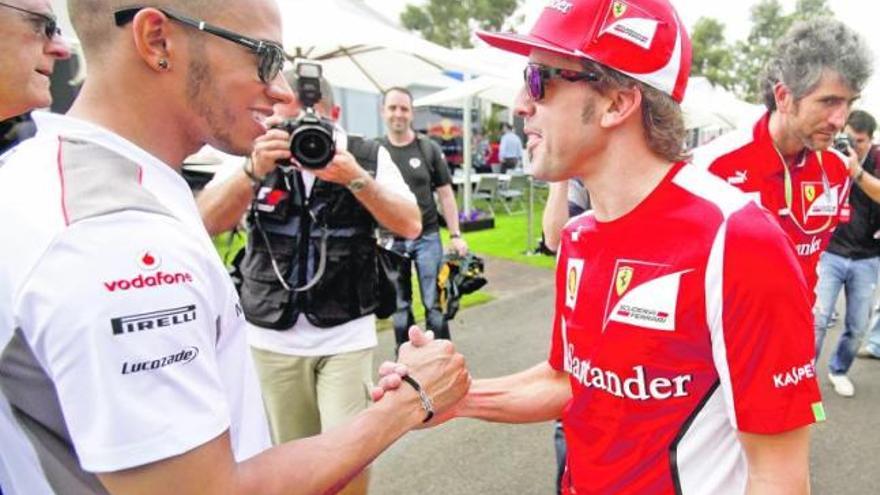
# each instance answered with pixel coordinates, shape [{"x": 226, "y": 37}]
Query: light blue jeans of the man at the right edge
[{"x": 858, "y": 279}]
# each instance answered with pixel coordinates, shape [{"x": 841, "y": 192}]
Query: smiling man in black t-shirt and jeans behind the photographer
[{"x": 425, "y": 171}]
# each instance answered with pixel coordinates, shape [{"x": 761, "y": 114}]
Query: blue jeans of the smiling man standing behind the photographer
[{"x": 427, "y": 253}]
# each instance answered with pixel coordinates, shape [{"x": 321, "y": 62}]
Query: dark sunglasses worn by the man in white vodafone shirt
[{"x": 271, "y": 55}]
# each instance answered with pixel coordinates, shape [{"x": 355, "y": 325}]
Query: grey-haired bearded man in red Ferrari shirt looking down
[{"x": 785, "y": 162}]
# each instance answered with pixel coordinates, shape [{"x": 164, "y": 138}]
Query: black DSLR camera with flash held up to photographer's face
[{"x": 312, "y": 137}]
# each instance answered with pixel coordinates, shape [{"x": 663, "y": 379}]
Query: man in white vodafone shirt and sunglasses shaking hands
[{"x": 123, "y": 342}]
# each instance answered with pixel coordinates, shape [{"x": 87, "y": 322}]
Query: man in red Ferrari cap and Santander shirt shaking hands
[{"x": 681, "y": 357}]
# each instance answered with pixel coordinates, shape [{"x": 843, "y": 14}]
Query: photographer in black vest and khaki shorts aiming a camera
[{"x": 310, "y": 272}]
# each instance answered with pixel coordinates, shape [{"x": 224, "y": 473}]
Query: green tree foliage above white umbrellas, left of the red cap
[{"x": 451, "y": 23}]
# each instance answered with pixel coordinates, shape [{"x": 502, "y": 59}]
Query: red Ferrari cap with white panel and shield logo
[{"x": 643, "y": 39}]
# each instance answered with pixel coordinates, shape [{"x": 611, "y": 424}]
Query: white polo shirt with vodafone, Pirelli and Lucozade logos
[{"x": 112, "y": 294}]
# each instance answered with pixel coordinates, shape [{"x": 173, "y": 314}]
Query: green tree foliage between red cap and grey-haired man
[{"x": 738, "y": 66}]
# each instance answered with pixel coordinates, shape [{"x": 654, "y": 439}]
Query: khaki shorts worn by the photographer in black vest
[{"x": 306, "y": 395}]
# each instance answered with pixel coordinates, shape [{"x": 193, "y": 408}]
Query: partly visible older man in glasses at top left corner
[{"x": 30, "y": 43}]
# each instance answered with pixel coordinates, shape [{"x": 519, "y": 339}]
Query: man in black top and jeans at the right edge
[{"x": 851, "y": 260}]
